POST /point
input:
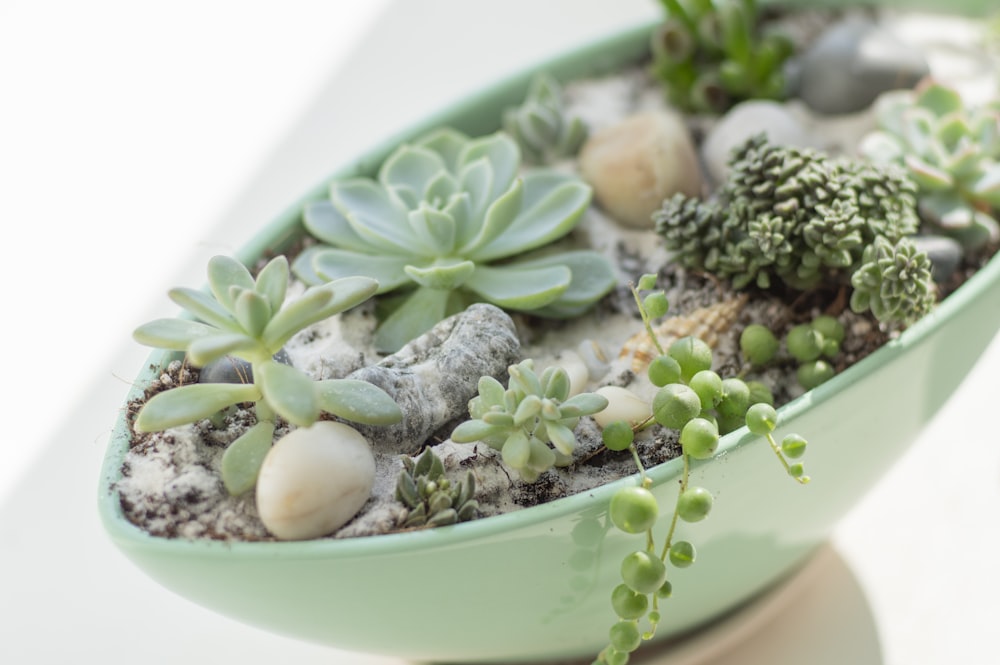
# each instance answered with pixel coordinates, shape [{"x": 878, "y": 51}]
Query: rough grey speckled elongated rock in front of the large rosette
[{"x": 433, "y": 377}]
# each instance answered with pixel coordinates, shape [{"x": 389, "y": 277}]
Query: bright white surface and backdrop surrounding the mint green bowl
[{"x": 138, "y": 140}]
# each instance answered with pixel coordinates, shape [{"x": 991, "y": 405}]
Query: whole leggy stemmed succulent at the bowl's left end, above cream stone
[{"x": 249, "y": 319}]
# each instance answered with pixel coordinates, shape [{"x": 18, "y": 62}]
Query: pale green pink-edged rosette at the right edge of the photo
[{"x": 950, "y": 150}]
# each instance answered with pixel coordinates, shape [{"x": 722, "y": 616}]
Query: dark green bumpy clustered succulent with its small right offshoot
[{"x": 800, "y": 216}]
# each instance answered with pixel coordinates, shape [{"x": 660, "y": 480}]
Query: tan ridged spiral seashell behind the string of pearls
[{"x": 706, "y": 323}]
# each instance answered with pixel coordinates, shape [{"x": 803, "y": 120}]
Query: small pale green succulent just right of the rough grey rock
[{"x": 522, "y": 420}]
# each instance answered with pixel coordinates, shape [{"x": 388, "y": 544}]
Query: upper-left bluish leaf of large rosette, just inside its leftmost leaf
[{"x": 374, "y": 215}]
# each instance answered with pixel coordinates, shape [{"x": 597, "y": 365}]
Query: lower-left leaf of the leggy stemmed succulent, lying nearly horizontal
[{"x": 188, "y": 404}]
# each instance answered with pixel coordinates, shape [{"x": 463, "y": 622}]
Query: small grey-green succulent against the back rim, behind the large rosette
[{"x": 541, "y": 126}]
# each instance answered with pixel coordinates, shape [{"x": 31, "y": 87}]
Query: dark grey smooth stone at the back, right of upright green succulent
[{"x": 852, "y": 63}]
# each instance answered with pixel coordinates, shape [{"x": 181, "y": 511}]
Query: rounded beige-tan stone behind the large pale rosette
[{"x": 634, "y": 165}]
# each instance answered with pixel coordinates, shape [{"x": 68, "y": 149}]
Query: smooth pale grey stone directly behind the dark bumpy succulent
[{"x": 743, "y": 121}]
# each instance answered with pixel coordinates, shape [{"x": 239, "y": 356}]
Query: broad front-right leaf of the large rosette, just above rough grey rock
[{"x": 519, "y": 288}]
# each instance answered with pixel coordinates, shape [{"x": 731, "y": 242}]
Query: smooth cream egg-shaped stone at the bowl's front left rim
[{"x": 313, "y": 480}]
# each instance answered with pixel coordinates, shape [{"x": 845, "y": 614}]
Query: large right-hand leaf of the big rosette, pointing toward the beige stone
[{"x": 552, "y": 205}]
